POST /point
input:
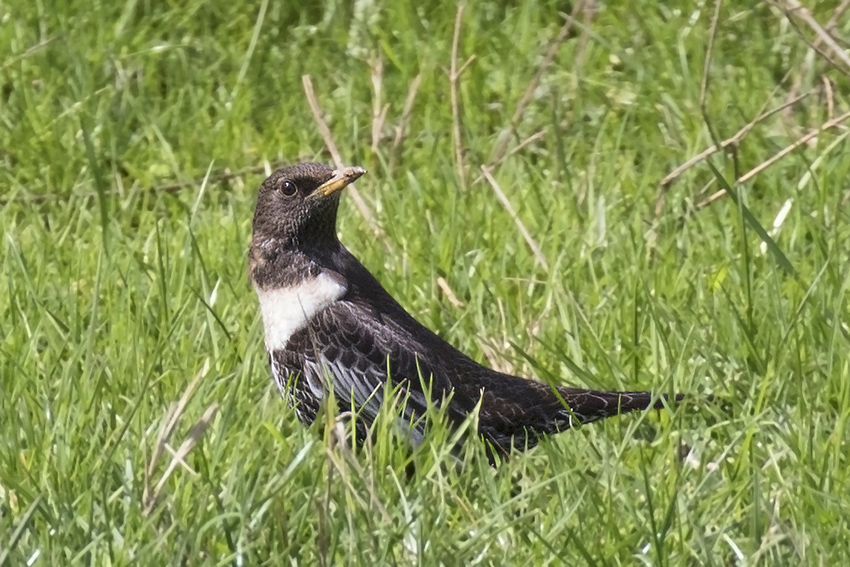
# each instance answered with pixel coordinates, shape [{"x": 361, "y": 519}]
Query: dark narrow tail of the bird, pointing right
[{"x": 587, "y": 406}]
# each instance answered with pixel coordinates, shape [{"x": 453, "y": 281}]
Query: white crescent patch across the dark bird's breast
[{"x": 287, "y": 309}]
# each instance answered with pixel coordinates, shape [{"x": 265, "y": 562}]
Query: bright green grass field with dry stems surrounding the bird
[{"x": 139, "y": 422}]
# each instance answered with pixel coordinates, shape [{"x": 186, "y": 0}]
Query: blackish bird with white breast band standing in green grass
[{"x": 330, "y": 325}]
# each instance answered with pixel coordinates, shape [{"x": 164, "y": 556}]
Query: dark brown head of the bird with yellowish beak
[{"x": 297, "y": 205}]
